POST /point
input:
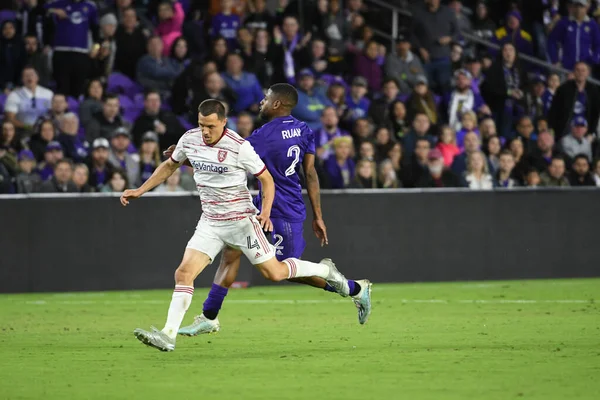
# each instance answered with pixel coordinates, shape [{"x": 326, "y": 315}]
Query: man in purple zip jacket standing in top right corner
[{"x": 576, "y": 38}]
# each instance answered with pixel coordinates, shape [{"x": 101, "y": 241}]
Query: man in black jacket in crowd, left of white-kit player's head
[{"x": 155, "y": 119}]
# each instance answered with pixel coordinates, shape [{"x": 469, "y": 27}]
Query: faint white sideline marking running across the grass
[{"x": 282, "y": 301}]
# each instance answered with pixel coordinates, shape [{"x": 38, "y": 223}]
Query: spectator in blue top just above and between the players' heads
[{"x": 245, "y": 85}]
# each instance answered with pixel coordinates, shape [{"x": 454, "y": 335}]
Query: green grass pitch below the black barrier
[{"x": 480, "y": 340}]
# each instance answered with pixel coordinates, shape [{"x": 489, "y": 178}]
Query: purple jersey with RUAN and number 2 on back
[{"x": 282, "y": 144}]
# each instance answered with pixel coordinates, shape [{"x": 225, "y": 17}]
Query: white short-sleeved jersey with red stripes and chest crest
[{"x": 220, "y": 173}]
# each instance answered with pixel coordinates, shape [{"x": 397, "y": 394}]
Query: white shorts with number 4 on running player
[{"x": 245, "y": 235}]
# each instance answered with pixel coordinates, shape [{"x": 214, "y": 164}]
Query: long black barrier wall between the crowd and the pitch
[{"x": 92, "y": 243}]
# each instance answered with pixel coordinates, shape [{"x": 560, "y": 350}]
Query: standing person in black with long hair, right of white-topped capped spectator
[{"x": 501, "y": 89}]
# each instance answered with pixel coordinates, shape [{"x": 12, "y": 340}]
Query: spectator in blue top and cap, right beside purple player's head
[{"x": 311, "y": 100}]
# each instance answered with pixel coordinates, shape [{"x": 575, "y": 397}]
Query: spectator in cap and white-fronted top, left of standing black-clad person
[{"x": 462, "y": 99}]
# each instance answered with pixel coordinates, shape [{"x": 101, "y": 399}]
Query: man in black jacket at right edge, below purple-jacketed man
[{"x": 575, "y": 98}]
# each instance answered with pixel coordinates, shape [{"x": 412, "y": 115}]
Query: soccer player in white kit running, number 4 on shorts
[{"x": 221, "y": 159}]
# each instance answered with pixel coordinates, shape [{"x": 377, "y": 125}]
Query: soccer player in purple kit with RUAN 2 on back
[{"x": 284, "y": 143}]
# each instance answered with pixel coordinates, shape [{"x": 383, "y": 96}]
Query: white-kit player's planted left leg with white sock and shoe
[{"x": 191, "y": 266}]
